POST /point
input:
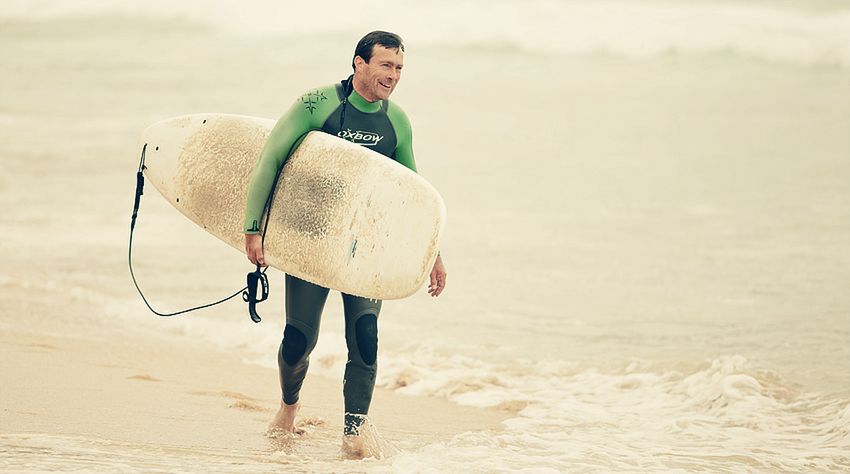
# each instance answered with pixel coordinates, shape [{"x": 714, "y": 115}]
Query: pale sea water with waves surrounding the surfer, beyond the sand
[{"x": 649, "y": 215}]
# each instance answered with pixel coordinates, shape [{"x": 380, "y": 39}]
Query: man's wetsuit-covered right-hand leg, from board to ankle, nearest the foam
[{"x": 361, "y": 335}]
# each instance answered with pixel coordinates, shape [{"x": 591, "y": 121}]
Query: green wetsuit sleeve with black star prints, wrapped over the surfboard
[{"x": 308, "y": 113}]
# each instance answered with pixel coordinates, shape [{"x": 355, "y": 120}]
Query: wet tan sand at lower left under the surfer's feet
[{"x": 199, "y": 409}]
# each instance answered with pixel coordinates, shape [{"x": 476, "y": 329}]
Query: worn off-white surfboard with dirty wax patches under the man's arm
[{"x": 342, "y": 216}]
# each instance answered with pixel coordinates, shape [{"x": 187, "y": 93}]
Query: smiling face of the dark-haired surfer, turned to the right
[{"x": 377, "y": 79}]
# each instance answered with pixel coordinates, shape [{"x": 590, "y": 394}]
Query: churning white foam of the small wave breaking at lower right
[{"x": 721, "y": 415}]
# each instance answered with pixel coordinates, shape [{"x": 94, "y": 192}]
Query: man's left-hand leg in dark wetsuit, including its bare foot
[{"x": 304, "y": 304}]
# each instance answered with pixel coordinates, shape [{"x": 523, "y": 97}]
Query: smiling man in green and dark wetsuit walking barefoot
[{"x": 355, "y": 108}]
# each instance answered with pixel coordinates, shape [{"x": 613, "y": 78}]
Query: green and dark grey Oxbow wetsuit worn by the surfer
[{"x": 383, "y": 127}]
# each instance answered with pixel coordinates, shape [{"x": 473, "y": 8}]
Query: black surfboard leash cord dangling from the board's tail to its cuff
[{"x": 257, "y": 280}]
